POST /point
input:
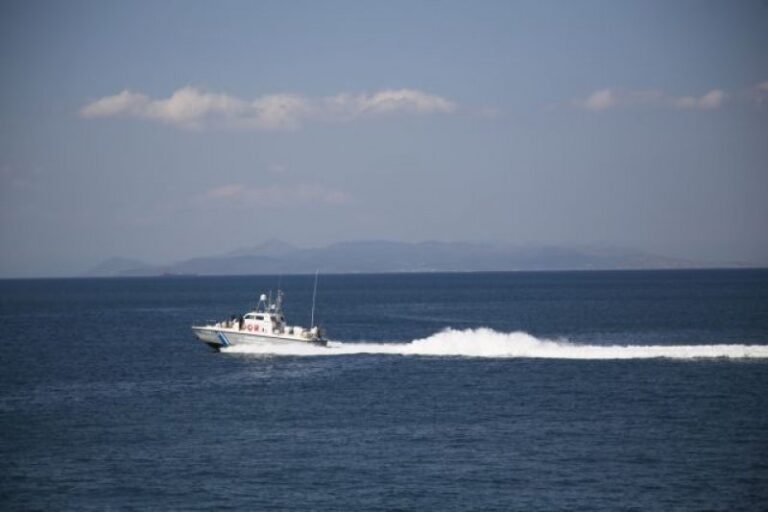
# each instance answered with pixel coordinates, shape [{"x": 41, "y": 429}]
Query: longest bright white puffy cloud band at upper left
[{"x": 190, "y": 107}]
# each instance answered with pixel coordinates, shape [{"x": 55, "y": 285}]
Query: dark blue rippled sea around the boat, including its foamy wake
[{"x": 445, "y": 392}]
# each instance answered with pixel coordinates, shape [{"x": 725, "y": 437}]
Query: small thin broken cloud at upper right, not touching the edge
[{"x": 605, "y": 99}]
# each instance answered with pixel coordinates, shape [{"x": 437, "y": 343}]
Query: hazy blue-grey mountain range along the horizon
[{"x": 278, "y": 257}]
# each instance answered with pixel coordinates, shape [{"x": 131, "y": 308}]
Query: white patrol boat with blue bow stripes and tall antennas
[{"x": 265, "y": 324}]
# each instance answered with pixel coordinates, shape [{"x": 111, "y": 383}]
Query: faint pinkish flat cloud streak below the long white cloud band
[{"x": 276, "y": 195}]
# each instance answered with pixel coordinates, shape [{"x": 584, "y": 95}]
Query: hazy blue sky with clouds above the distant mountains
[{"x": 166, "y": 130}]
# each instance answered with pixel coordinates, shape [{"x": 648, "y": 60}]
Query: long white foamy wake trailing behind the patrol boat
[{"x": 488, "y": 343}]
